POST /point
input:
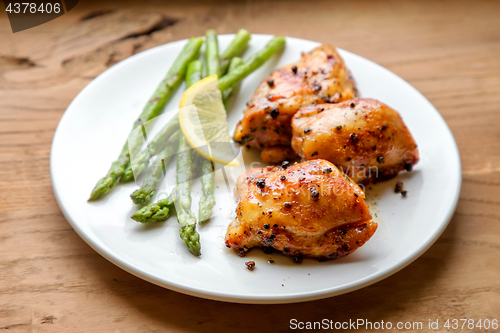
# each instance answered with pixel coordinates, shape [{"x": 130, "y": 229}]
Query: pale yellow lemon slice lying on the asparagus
[{"x": 205, "y": 125}]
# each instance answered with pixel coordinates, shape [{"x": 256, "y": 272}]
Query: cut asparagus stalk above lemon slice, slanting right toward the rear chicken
[{"x": 254, "y": 62}]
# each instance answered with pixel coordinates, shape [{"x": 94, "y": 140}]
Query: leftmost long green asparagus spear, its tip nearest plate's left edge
[{"x": 152, "y": 109}]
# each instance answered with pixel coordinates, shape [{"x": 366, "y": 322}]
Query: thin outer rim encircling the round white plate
[{"x": 109, "y": 254}]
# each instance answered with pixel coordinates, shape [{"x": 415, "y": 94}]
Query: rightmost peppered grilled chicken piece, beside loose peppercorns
[{"x": 363, "y": 137}]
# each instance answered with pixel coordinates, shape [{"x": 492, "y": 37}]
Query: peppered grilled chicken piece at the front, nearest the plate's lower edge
[{"x": 309, "y": 209}]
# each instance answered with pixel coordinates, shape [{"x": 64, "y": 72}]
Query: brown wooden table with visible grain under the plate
[{"x": 51, "y": 281}]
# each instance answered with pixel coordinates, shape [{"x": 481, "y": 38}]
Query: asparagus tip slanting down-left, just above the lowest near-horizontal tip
[{"x": 148, "y": 187}]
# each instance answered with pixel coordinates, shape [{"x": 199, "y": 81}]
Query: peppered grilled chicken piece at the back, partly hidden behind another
[{"x": 319, "y": 77}]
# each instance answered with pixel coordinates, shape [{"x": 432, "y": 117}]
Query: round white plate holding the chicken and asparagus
[{"x": 96, "y": 124}]
